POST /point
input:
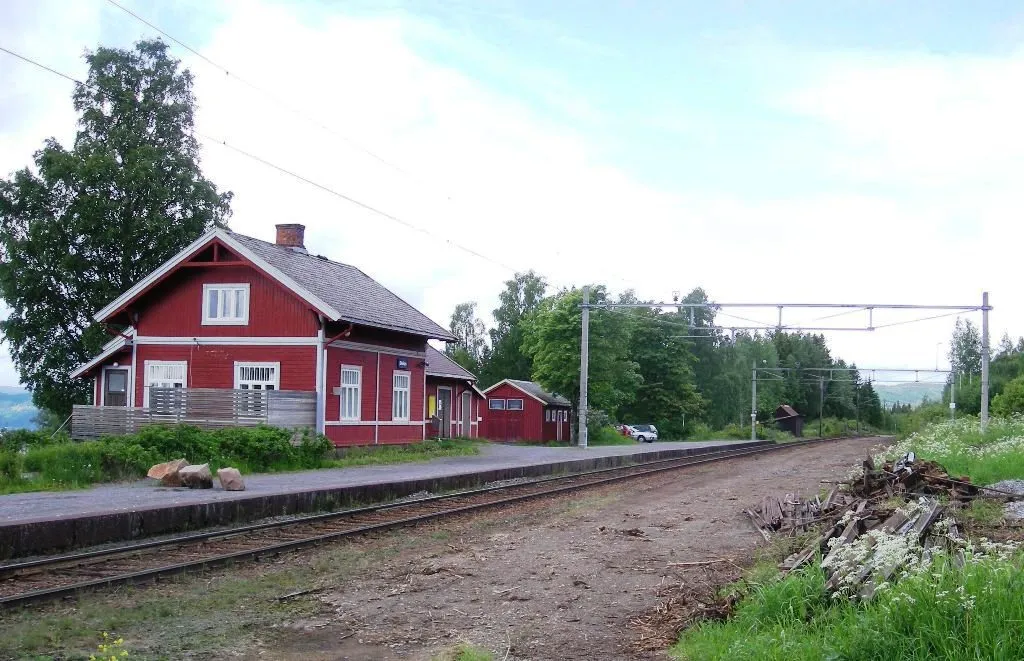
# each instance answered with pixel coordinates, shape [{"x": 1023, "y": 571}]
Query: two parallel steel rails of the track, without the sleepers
[{"x": 628, "y": 472}]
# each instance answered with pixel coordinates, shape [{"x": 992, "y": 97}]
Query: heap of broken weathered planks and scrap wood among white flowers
[{"x": 881, "y": 521}]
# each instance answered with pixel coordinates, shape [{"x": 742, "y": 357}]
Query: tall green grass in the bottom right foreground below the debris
[{"x": 922, "y": 618}]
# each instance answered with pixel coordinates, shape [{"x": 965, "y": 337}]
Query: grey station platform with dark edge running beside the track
[{"x": 50, "y": 521}]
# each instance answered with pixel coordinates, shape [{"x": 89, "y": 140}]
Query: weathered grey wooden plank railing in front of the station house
[{"x": 203, "y": 408}]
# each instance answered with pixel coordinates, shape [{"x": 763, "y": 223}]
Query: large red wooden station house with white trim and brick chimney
[{"x": 234, "y": 330}]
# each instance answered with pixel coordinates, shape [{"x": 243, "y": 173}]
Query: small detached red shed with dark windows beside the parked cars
[{"x": 522, "y": 411}]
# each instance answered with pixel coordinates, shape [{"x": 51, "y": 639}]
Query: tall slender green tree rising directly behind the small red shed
[{"x": 522, "y": 296}]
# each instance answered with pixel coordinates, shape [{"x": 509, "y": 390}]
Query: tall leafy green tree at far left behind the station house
[{"x": 83, "y": 226}]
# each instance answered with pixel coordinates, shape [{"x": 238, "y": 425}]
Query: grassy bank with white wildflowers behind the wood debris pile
[{"x": 964, "y": 451}]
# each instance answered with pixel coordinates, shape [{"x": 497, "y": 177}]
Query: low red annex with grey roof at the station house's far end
[{"x": 454, "y": 404}]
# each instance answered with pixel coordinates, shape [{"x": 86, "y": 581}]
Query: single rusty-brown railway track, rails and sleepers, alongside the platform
[{"x": 57, "y": 577}]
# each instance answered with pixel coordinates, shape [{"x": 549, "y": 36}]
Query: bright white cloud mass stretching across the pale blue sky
[{"x": 927, "y": 148}]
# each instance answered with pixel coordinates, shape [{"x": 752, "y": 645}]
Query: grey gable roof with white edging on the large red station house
[{"x": 340, "y": 292}]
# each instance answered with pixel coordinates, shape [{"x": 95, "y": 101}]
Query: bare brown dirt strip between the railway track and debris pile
[{"x": 603, "y": 576}]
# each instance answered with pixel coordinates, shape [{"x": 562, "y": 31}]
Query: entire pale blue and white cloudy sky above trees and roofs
[{"x": 767, "y": 152}]
